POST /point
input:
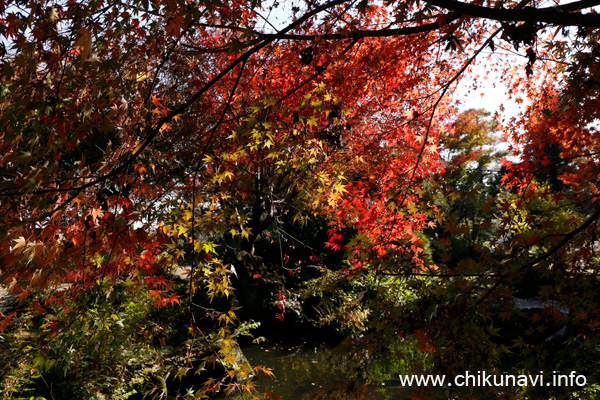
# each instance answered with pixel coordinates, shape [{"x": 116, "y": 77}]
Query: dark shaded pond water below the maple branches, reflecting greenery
[{"x": 309, "y": 372}]
